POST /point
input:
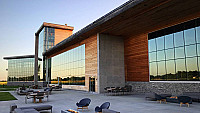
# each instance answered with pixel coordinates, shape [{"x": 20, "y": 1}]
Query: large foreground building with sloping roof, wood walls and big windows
[{"x": 152, "y": 45}]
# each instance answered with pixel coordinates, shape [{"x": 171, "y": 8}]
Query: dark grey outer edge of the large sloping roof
[{"x": 76, "y": 37}]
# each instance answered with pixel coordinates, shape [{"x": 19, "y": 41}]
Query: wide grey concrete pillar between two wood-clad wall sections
[{"x": 110, "y": 51}]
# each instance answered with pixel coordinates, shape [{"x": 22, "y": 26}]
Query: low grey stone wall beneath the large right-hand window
[{"x": 174, "y": 88}]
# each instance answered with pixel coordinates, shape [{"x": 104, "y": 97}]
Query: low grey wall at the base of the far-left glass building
[{"x": 21, "y": 83}]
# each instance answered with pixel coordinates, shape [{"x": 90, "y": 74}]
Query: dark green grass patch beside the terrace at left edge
[{"x": 6, "y": 96}]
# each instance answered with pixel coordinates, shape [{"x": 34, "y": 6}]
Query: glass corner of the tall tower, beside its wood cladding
[{"x": 46, "y": 41}]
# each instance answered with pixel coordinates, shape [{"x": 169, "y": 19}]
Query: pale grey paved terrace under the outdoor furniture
[{"x": 66, "y": 99}]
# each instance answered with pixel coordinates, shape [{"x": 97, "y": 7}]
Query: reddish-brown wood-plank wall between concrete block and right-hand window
[{"x": 136, "y": 58}]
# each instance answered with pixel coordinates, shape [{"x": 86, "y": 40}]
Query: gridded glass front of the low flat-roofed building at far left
[{"x": 21, "y": 69}]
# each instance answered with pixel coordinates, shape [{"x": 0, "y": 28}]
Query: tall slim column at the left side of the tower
[{"x": 36, "y": 60}]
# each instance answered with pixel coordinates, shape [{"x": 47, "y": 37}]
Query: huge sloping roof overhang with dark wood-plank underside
[{"x": 134, "y": 17}]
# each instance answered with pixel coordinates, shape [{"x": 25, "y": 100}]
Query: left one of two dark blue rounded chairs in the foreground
[{"x": 83, "y": 104}]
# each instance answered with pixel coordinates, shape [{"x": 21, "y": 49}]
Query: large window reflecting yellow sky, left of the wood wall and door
[{"x": 69, "y": 66}]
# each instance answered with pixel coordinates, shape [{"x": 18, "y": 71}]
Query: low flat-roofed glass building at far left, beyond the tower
[{"x": 21, "y": 70}]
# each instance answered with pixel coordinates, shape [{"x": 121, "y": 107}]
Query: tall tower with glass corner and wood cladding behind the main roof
[{"x": 46, "y": 37}]
